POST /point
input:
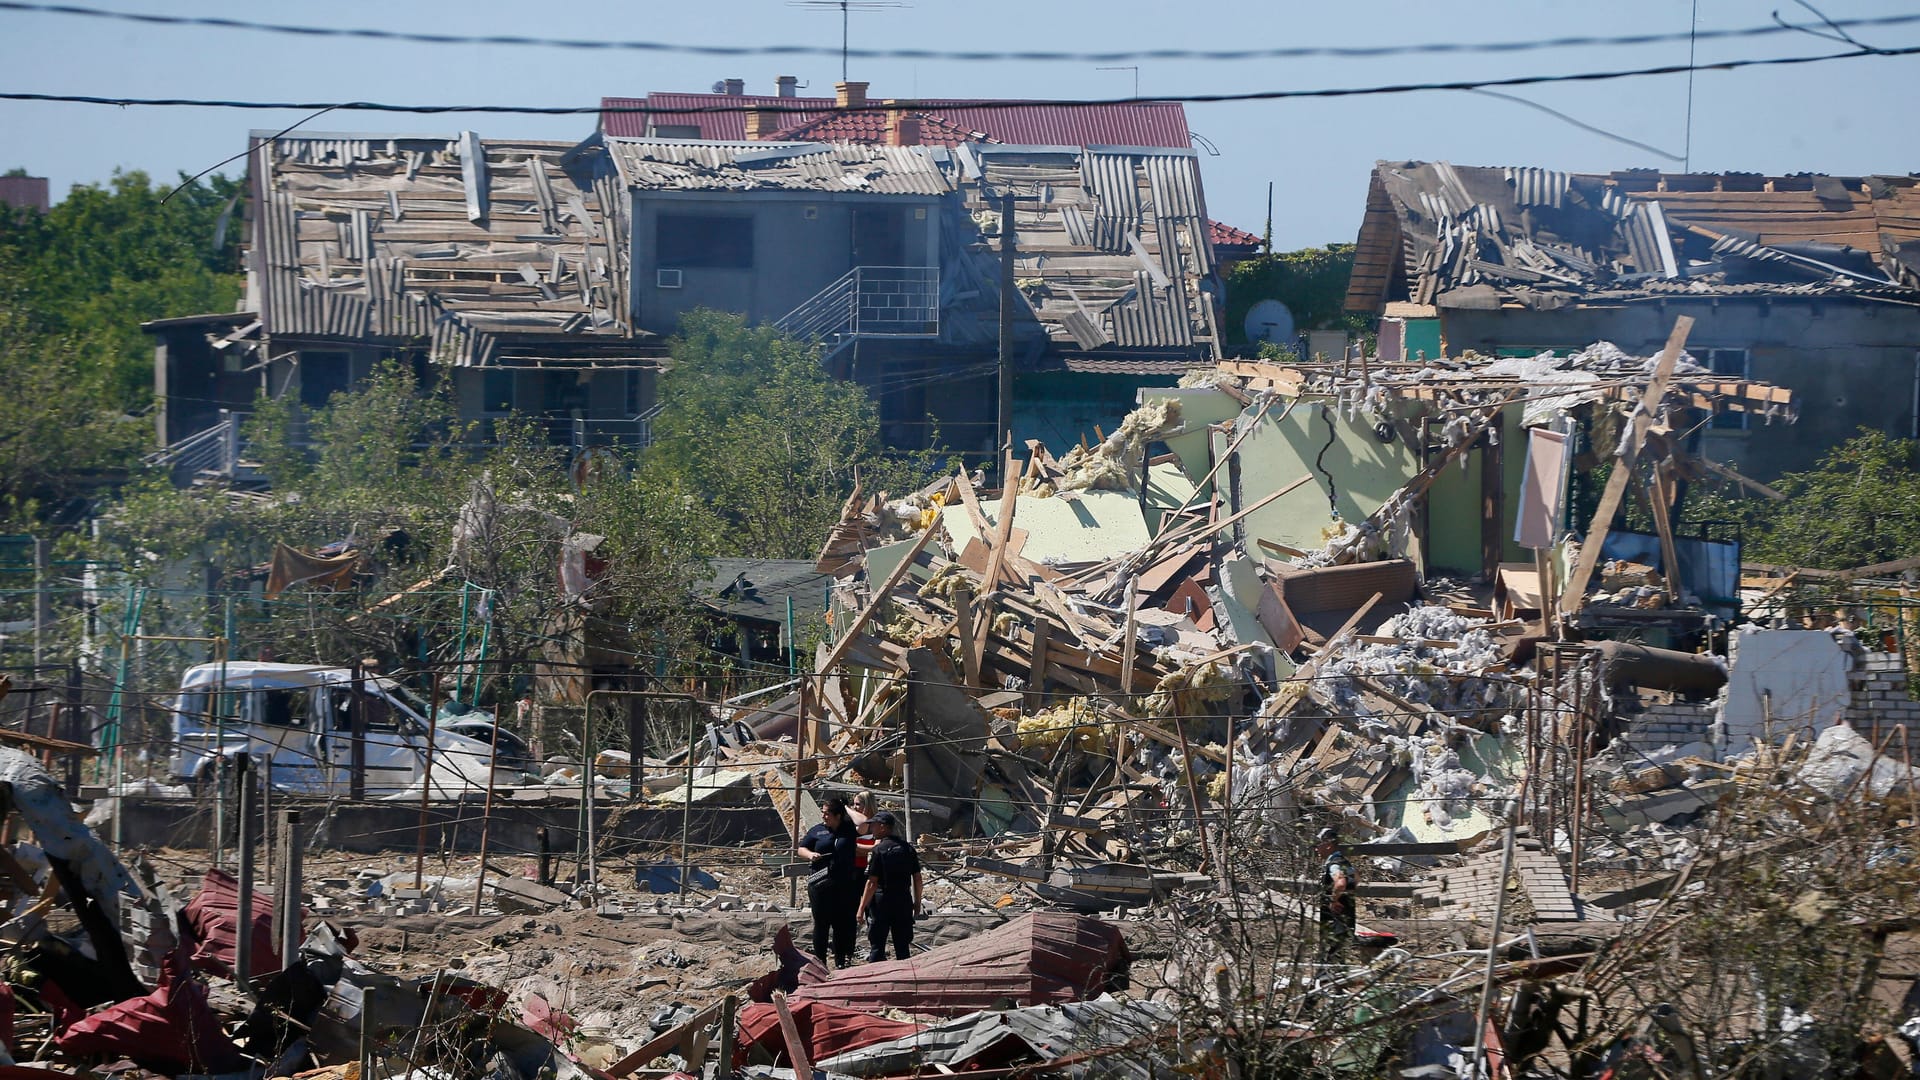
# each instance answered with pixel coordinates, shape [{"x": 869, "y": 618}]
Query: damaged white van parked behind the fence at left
[{"x": 297, "y": 724}]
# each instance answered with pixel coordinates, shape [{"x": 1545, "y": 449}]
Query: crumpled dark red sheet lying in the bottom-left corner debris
[{"x": 170, "y": 1031}]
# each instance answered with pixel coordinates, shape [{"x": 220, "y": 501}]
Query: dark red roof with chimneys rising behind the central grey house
[{"x": 1028, "y": 124}]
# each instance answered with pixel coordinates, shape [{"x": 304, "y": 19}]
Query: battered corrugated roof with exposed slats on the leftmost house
[{"x": 370, "y": 239}]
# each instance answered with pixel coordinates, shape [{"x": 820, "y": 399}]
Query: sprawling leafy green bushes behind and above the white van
[{"x": 446, "y": 528}]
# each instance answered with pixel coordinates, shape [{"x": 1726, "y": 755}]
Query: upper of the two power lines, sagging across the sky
[{"x": 1230, "y": 55}]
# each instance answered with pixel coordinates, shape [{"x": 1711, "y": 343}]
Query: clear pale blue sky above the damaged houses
[{"x": 1846, "y": 118}]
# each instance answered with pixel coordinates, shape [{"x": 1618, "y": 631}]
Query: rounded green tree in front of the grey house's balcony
[{"x": 765, "y": 437}]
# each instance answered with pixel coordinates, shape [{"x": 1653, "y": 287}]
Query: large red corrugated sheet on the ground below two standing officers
[{"x": 1030, "y": 962}]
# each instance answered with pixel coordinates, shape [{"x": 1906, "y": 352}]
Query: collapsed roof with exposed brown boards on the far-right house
[{"x": 1520, "y": 237}]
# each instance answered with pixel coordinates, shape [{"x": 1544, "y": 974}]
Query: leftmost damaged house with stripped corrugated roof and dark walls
[{"x": 494, "y": 264}]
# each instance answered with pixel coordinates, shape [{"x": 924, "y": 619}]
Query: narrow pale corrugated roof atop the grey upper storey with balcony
[{"x": 652, "y": 164}]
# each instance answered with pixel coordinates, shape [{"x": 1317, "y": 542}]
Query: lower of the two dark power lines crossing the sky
[{"x": 976, "y": 105}]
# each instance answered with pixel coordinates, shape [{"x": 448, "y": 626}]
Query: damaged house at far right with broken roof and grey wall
[{"x": 1808, "y": 282}]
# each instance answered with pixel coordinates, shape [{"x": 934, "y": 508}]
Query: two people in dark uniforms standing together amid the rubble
[{"x": 861, "y": 871}]
